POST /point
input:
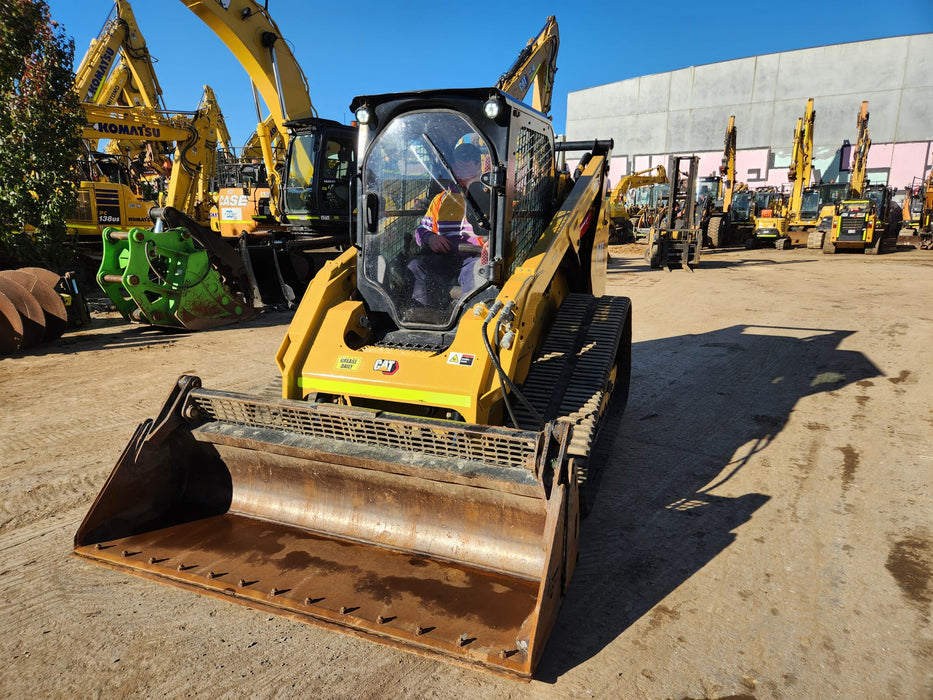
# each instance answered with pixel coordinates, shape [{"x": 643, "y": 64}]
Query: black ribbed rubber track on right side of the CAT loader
[{"x": 568, "y": 380}]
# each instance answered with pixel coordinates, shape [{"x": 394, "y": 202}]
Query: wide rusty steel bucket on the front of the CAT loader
[{"x": 444, "y": 538}]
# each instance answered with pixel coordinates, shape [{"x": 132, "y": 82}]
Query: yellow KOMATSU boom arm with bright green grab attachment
[{"x": 178, "y": 273}]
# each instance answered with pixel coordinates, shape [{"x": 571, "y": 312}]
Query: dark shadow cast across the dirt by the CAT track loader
[{"x": 700, "y": 407}]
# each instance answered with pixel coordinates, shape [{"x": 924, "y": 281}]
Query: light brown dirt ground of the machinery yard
[{"x": 763, "y": 527}]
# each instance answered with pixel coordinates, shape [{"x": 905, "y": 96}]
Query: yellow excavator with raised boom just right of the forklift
[{"x": 725, "y": 206}]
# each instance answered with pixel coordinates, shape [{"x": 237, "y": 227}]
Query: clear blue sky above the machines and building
[{"x": 370, "y": 47}]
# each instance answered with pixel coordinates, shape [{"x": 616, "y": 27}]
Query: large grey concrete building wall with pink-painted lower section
[{"x": 686, "y": 111}]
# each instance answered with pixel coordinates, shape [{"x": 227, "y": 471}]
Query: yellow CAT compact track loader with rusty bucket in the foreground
[{"x": 420, "y": 482}]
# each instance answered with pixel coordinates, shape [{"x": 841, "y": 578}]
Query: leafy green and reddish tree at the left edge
[{"x": 40, "y": 135}]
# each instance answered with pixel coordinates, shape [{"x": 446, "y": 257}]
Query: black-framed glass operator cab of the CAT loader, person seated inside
[{"x": 445, "y": 171}]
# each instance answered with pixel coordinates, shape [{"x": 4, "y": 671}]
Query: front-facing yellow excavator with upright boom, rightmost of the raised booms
[{"x": 867, "y": 216}]
